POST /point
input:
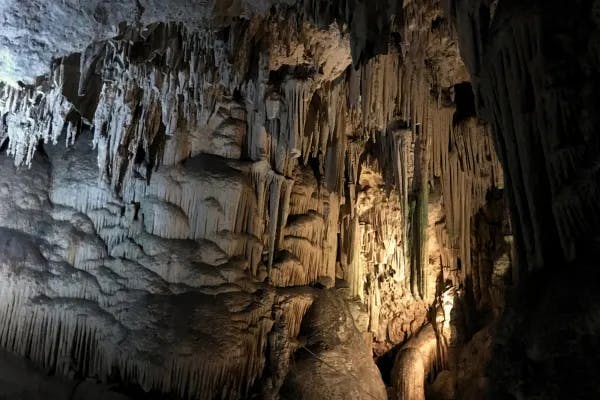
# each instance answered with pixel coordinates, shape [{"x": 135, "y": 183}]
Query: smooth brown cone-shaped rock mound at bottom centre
[{"x": 334, "y": 362}]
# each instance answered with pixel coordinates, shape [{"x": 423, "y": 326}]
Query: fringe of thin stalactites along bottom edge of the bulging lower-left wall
[{"x": 75, "y": 333}]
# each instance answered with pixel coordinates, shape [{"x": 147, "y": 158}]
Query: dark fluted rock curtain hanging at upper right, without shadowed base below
[{"x": 534, "y": 78}]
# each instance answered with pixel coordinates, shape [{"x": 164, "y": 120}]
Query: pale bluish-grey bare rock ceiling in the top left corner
[{"x": 35, "y": 32}]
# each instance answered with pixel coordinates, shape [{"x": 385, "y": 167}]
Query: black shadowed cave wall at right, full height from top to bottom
[{"x": 535, "y": 73}]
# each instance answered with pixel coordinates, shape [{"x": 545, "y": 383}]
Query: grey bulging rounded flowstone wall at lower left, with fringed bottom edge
[{"x": 70, "y": 306}]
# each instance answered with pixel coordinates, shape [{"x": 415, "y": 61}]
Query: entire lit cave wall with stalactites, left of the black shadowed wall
[{"x": 213, "y": 172}]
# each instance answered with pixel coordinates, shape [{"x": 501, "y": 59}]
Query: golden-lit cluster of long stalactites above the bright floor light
[{"x": 418, "y": 146}]
